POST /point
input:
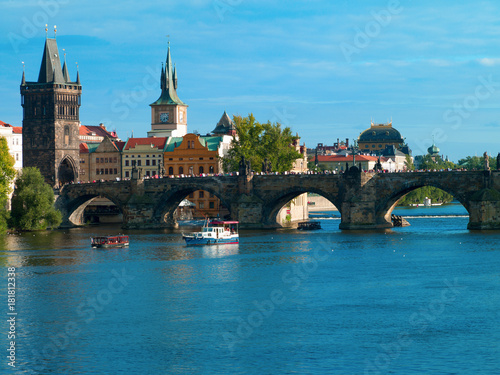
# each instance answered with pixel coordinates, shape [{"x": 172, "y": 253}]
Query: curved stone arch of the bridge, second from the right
[{"x": 275, "y": 204}]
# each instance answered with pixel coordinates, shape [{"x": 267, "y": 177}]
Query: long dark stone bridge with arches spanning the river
[{"x": 364, "y": 200}]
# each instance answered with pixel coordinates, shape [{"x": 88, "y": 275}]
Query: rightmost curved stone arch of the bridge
[{"x": 385, "y": 206}]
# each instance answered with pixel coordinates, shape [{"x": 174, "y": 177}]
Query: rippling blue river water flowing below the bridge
[{"x": 422, "y": 299}]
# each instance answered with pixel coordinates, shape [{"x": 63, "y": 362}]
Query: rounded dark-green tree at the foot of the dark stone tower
[{"x": 33, "y": 203}]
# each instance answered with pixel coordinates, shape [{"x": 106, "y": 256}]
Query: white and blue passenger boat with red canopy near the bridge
[{"x": 213, "y": 233}]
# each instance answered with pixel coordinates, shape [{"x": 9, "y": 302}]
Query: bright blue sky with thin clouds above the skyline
[{"x": 324, "y": 68}]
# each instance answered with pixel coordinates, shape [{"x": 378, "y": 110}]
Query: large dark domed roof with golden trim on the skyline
[{"x": 378, "y": 137}]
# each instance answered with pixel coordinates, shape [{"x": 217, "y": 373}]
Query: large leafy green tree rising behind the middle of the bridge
[{"x": 256, "y": 142}]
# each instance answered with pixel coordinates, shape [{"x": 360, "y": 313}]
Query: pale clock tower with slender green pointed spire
[{"x": 168, "y": 113}]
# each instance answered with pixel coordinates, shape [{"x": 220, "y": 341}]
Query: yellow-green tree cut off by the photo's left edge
[{"x": 7, "y": 174}]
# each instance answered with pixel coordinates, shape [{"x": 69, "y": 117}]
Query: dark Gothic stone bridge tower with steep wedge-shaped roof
[{"x": 51, "y": 119}]
